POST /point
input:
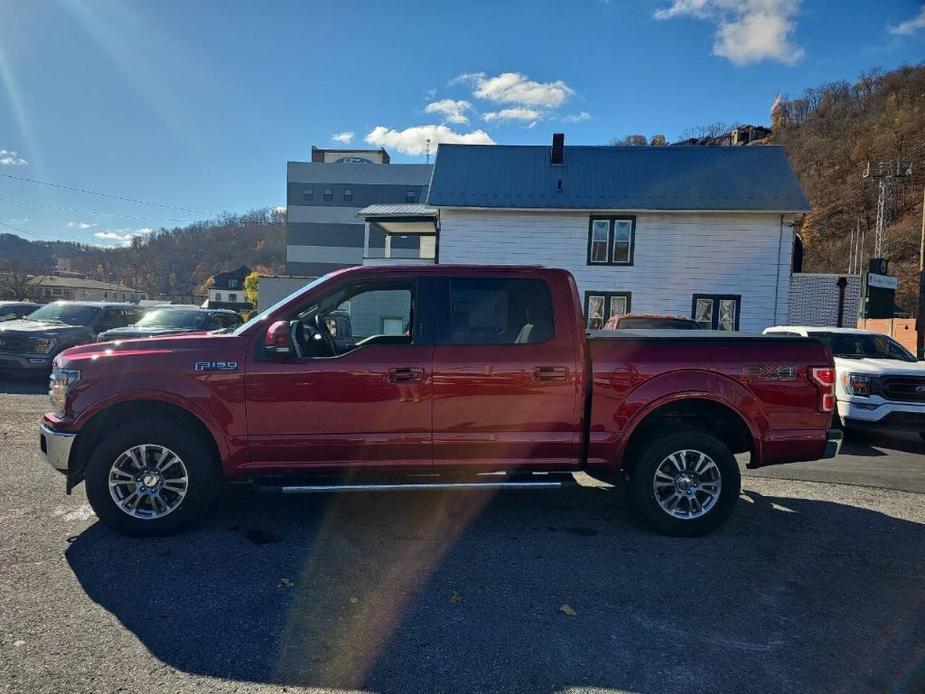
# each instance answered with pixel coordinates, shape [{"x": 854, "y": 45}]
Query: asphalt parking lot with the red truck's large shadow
[{"x": 816, "y": 583}]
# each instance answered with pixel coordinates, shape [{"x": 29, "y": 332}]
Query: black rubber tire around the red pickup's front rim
[{"x": 202, "y": 475}]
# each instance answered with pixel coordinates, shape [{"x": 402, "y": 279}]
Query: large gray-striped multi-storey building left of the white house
[{"x": 323, "y": 196}]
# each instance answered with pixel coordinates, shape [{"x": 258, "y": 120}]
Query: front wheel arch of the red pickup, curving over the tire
[{"x": 117, "y": 414}]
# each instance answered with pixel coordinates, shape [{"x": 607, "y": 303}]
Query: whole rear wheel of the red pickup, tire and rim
[{"x": 685, "y": 483}]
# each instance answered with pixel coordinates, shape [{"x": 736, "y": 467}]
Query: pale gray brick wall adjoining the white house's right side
[{"x": 814, "y": 299}]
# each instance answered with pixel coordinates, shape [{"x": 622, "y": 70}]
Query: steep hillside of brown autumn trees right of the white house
[{"x": 830, "y": 133}]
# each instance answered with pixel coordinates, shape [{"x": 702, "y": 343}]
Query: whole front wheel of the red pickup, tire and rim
[{"x": 150, "y": 478}]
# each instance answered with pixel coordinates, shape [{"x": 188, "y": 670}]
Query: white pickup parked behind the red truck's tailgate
[{"x": 879, "y": 382}]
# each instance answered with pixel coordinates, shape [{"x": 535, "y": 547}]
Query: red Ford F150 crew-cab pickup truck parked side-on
[{"x": 433, "y": 377}]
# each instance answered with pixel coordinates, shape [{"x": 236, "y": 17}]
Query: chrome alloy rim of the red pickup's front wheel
[{"x": 148, "y": 481}]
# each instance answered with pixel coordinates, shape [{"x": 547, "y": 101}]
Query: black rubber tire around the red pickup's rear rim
[{"x": 653, "y": 452}]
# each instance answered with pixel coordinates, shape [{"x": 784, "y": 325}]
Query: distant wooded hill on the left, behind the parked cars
[{"x": 168, "y": 261}]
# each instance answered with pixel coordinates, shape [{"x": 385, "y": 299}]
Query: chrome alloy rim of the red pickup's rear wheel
[{"x": 687, "y": 484}]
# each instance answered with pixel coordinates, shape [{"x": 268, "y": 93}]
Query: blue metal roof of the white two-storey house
[{"x": 616, "y": 178}]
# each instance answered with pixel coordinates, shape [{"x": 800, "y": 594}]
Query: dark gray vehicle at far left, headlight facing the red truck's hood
[{"x": 30, "y": 344}]
